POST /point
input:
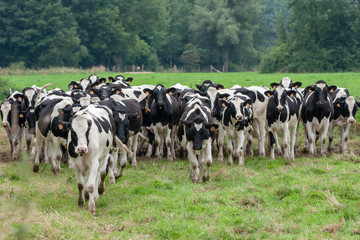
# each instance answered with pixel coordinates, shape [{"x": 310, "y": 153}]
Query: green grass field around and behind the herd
[{"x": 309, "y": 198}]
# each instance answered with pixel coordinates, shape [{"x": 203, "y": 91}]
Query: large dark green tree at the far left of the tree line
[{"x": 39, "y": 33}]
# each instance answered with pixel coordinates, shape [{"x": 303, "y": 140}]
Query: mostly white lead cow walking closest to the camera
[{"x": 90, "y": 137}]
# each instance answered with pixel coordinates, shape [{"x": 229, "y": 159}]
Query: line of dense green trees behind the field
[{"x": 231, "y": 35}]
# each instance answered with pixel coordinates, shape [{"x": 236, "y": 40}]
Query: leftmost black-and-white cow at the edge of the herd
[{"x": 9, "y": 111}]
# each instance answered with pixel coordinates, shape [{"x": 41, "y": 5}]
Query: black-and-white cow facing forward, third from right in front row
[{"x": 282, "y": 115}]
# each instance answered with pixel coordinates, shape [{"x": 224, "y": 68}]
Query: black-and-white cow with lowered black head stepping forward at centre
[{"x": 196, "y": 131}]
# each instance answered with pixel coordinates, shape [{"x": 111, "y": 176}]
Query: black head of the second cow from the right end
[{"x": 321, "y": 91}]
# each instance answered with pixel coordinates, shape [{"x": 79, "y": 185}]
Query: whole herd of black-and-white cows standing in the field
[{"x": 97, "y": 125}]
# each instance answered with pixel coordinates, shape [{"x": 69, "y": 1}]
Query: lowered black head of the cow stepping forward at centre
[{"x": 197, "y": 131}]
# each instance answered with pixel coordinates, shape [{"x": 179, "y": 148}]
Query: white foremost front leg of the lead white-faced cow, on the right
[{"x": 91, "y": 184}]
